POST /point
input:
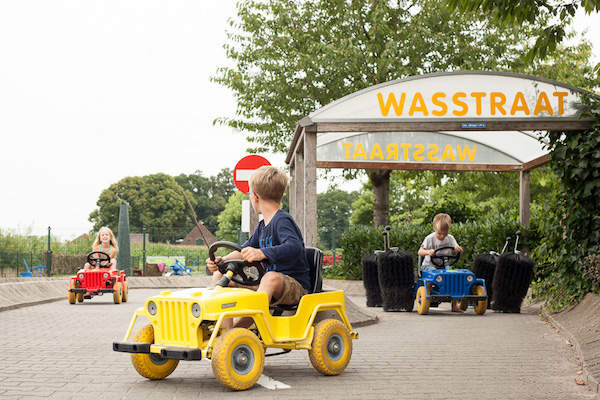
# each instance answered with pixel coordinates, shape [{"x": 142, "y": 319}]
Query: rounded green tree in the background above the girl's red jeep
[{"x": 155, "y": 201}]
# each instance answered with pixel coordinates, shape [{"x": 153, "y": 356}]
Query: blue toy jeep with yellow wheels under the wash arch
[{"x": 444, "y": 285}]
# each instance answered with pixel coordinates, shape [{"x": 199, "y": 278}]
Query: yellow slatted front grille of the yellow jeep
[{"x": 174, "y": 322}]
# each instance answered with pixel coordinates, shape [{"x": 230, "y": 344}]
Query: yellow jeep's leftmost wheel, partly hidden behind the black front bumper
[{"x": 151, "y": 366}]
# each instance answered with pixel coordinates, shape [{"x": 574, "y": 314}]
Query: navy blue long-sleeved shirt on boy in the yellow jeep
[{"x": 281, "y": 242}]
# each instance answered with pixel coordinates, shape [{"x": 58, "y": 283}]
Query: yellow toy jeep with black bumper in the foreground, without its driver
[{"x": 188, "y": 325}]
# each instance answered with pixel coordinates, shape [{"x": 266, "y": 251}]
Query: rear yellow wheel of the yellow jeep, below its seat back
[{"x": 331, "y": 348}]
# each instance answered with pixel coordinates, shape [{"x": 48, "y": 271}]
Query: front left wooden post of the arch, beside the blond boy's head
[{"x": 310, "y": 189}]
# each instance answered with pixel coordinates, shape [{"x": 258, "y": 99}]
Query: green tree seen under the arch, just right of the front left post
[{"x": 333, "y": 215}]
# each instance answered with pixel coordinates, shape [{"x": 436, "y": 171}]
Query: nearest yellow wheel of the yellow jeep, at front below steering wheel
[{"x": 238, "y": 359}]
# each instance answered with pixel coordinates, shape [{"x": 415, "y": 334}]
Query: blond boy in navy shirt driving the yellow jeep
[{"x": 277, "y": 242}]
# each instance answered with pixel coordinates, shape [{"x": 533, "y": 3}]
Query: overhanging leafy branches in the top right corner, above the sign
[{"x": 519, "y": 11}]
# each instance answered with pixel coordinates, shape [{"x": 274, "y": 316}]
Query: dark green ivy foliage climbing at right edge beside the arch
[{"x": 569, "y": 257}]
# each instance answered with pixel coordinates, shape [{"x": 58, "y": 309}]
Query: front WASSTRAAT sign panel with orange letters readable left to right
[{"x": 468, "y": 96}]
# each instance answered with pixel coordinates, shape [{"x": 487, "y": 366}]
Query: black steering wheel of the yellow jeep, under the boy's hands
[{"x": 244, "y": 272}]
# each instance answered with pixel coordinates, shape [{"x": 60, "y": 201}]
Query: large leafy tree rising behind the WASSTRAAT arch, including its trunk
[{"x": 293, "y": 57}]
